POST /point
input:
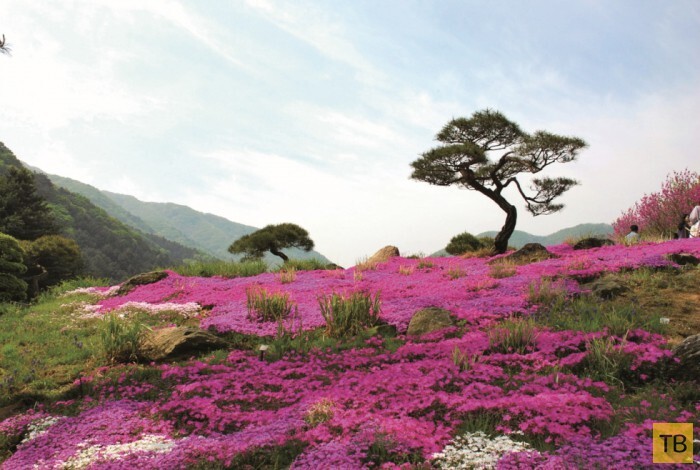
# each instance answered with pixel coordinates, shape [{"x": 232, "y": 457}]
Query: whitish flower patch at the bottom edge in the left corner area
[{"x": 88, "y": 455}]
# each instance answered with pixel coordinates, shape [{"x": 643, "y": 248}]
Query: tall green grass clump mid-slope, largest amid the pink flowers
[{"x": 349, "y": 315}]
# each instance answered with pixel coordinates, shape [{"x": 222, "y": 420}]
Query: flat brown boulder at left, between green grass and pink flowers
[{"x": 179, "y": 342}]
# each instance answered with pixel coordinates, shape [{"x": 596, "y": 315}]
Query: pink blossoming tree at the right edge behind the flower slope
[{"x": 658, "y": 214}]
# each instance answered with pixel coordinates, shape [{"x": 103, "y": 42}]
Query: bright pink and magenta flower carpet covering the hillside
[{"x": 393, "y": 401}]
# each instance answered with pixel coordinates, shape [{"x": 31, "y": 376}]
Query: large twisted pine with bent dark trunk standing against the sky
[{"x": 465, "y": 159}]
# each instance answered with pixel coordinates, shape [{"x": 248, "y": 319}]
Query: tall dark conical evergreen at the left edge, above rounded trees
[{"x": 24, "y": 214}]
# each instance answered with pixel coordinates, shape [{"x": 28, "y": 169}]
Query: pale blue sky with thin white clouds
[{"x": 311, "y": 112}]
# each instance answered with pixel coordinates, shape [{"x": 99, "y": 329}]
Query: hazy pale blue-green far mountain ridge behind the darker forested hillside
[{"x": 206, "y": 232}]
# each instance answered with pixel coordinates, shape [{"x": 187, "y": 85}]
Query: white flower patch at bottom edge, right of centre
[{"x": 476, "y": 450}]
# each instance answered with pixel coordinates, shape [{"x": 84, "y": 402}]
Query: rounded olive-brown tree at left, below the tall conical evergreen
[{"x": 50, "y": 260}]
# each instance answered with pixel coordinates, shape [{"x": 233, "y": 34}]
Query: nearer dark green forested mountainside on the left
[{"x": 109, "y": 247}]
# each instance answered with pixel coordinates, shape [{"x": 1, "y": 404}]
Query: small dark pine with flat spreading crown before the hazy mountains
[{"x": 273, "y": 238}]
